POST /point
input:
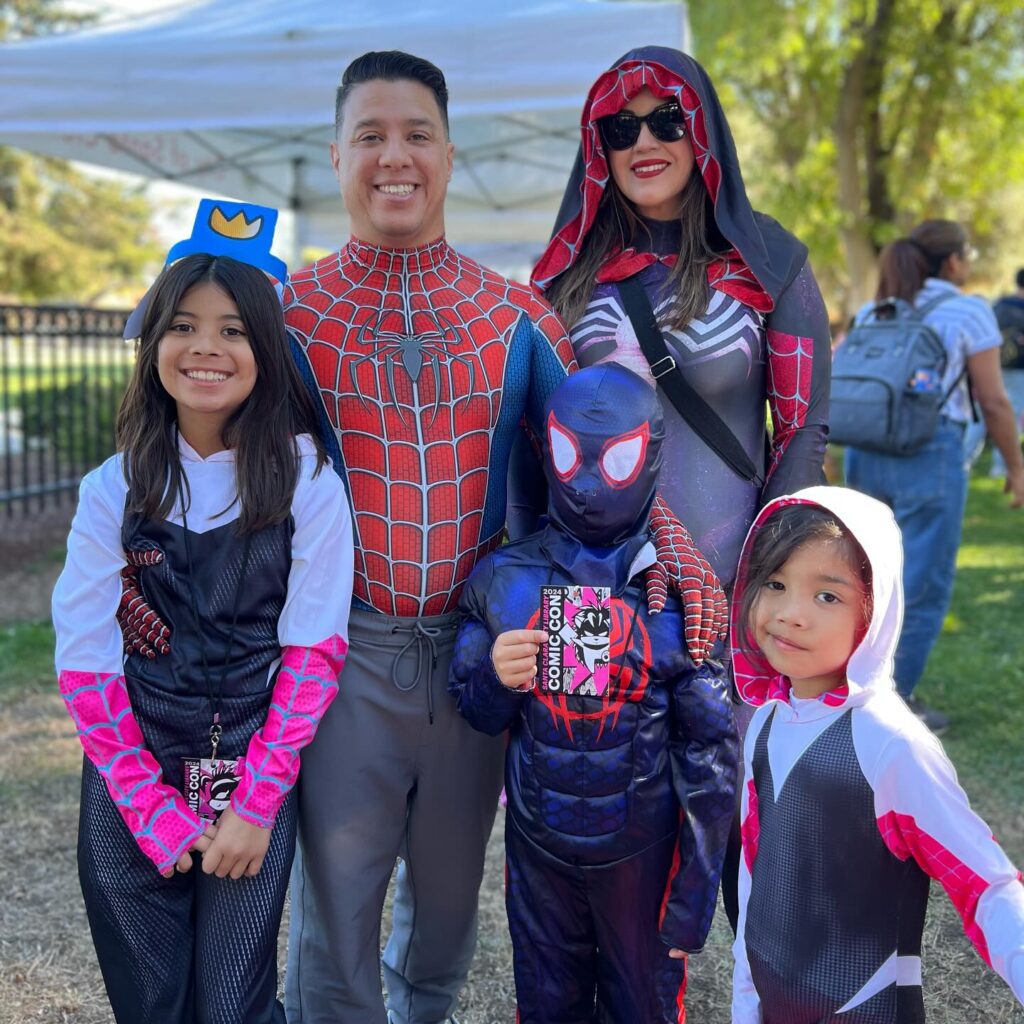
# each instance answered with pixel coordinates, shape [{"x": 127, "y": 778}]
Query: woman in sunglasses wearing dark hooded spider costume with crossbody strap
[{"x": 657, "y": 196}]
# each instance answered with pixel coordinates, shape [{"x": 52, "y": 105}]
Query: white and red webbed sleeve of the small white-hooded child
[{"x": 924, "y": 814}]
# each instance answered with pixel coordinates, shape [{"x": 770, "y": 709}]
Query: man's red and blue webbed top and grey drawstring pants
[{"x": 426, "y": 363}]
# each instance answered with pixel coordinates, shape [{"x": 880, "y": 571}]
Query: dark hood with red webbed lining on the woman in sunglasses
[{"x": 763, "y": 259}]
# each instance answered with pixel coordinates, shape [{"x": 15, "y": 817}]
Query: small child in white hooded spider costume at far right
[{"x": 849, "y": 803}]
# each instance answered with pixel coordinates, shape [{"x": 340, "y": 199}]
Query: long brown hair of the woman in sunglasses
[{"x": 617, "y": 226}]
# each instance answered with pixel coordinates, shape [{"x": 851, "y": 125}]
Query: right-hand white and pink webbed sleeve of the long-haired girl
[{"x": 314, "y": 635}]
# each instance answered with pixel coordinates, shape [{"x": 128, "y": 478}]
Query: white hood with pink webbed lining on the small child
[{"x": 871, "y": 666}]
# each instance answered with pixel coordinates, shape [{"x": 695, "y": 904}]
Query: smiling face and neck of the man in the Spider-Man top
[{"x": 394, "y": 161}]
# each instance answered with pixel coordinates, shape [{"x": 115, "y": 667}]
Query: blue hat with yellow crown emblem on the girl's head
[{"x": 242, "y": 231}]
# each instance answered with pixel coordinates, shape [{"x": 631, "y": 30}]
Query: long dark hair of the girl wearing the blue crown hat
[{"x": 262, "y": 431}]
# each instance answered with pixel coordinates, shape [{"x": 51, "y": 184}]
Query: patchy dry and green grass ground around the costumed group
[{"x": 976, "y": 674}]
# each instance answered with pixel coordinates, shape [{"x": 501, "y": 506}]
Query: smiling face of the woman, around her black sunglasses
[{"x": 652, "y": 175}]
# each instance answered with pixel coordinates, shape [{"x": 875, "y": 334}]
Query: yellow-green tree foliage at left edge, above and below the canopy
[{"x": 64, "y": 236}]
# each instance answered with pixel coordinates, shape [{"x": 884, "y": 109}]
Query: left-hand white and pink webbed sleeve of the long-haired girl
[{"x": 90, "y": 663}]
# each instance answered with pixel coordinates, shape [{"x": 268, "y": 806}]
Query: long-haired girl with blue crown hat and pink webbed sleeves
[{"x": 246, "y": 553}]
